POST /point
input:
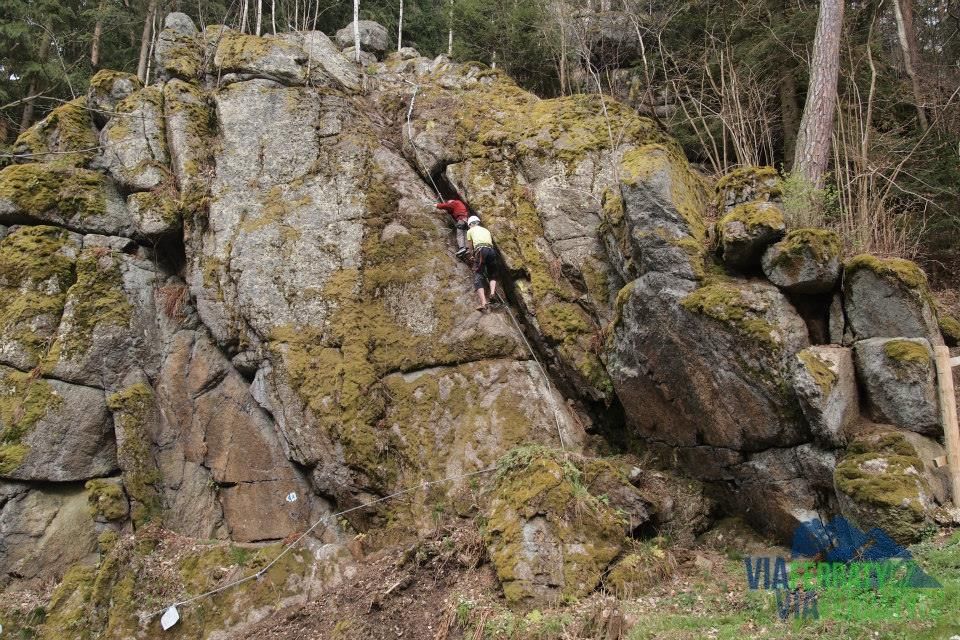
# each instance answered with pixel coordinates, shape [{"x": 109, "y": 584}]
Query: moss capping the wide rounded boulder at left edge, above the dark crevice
[{"x": 42, "y": 189}]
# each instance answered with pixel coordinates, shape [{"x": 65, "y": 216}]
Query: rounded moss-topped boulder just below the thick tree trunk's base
[{"x": 806, "y": 261}]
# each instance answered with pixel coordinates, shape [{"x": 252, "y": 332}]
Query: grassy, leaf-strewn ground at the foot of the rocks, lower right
[{"x": 708, "y": 598}]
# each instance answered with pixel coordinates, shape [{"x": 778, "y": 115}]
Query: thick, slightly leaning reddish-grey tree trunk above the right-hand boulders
[{"x": 816, "y": 126}]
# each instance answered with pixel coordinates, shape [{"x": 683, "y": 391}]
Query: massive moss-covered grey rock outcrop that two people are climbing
[{"x": 230, "y": 310}]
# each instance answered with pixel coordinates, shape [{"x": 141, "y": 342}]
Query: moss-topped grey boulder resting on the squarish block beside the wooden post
[{"x": 888, "y": 298}]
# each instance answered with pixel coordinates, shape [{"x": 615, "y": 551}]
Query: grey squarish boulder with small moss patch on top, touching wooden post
[{"x": 900, "y": 382}]
